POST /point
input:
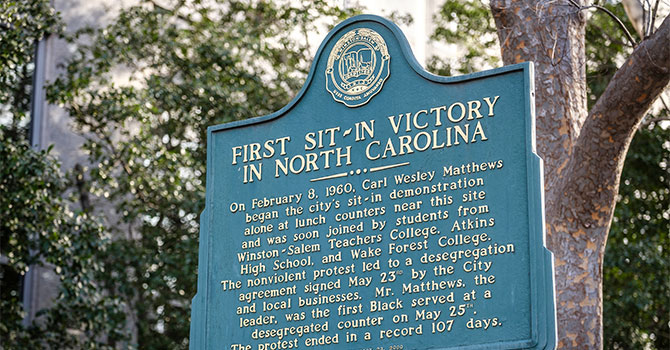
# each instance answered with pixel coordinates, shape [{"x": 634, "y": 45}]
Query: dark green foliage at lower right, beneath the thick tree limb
[{"x": 636, "y": 274}]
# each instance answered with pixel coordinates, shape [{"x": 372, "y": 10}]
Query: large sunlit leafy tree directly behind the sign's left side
[{"x": 190, "y": 64}]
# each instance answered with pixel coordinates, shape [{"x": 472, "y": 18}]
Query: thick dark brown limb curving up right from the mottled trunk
[{"x": 600, "y": 150}]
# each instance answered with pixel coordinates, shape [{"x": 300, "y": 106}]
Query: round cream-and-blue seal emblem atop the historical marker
[{"x": 357, "y": 67}]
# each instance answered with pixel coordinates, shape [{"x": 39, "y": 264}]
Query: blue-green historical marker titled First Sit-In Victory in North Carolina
[{"x": 383, "y": 208}]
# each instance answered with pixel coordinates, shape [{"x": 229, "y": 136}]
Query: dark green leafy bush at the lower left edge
[{"x": 37, "y": 227}]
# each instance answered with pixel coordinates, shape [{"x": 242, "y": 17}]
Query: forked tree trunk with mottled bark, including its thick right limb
[{"x": 583, "y": 152}]
